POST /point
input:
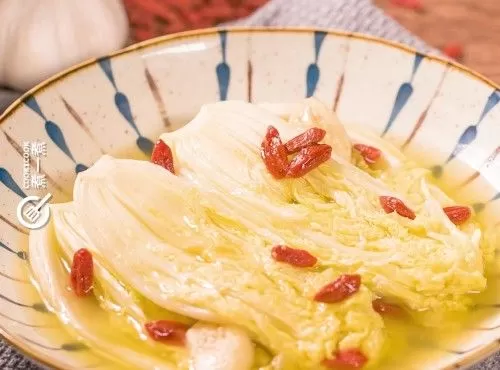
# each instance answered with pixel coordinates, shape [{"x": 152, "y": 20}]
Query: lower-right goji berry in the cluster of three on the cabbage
[{"x": 308, "y": 159}]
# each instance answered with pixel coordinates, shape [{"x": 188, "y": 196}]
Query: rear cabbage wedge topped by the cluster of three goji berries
[{"x": 334, "y": 211}]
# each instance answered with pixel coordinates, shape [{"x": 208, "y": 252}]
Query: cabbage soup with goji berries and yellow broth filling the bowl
[{"x": 263, "y": 237}]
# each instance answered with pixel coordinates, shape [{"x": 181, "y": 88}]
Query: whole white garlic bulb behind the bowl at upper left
[{"x": 39, "y": 38}]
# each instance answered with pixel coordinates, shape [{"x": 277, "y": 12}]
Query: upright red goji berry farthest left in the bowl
[{"x": 82, "y": 272}]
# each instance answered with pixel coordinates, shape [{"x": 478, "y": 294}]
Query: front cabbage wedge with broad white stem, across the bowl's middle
[{"x": 165, "y": 244}]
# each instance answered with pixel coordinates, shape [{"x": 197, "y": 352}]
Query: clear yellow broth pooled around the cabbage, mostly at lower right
[{"x": 409, "y": 345}]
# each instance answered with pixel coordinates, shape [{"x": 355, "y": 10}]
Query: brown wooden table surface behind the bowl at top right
[{"x": 473, "y": 23}]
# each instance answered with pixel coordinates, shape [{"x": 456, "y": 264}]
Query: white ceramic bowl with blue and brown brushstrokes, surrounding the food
[{"x": 437, "y": 111}]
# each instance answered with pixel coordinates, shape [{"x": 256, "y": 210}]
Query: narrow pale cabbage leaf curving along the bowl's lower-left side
[{"x": 84, "y": 319}]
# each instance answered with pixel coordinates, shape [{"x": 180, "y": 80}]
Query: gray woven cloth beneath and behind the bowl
[{"x": 351, "y": 15}]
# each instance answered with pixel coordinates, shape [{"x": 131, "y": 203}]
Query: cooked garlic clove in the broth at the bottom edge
[{"x": 213, "y": 347}]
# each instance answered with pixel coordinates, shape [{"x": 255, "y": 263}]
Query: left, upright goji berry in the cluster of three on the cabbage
[{"x": 274, "y": 153}]
